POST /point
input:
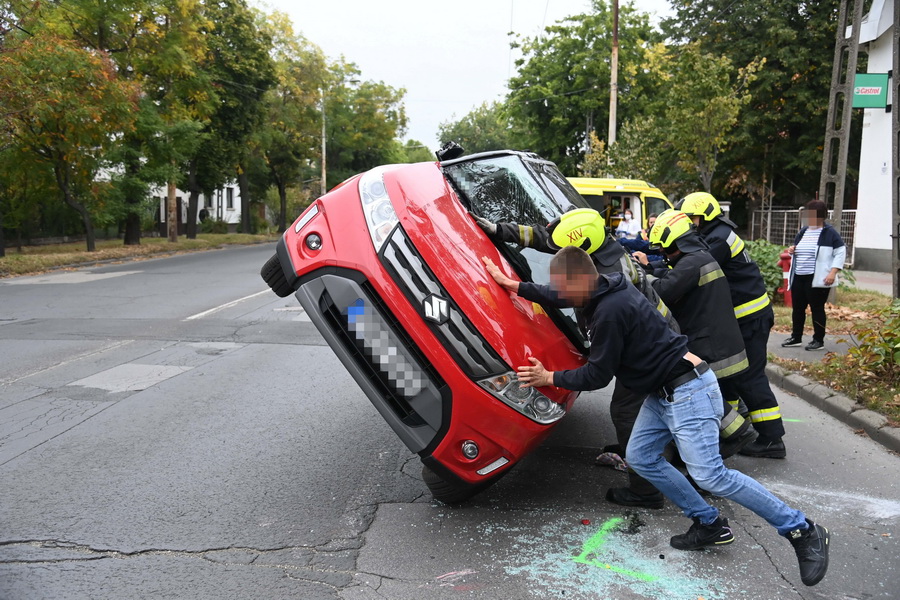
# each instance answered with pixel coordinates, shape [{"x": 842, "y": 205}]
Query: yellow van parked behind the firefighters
[{"x": 612, "y": 196}]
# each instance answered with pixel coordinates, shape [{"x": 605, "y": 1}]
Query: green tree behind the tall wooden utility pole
[{"x": 562, "y": 86}]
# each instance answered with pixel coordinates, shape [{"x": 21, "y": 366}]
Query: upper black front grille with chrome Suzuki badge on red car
[{"x": 457, "y": 334}]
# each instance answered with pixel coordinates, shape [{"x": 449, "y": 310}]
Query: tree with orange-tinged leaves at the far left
[{"x": 65, "y": 105}]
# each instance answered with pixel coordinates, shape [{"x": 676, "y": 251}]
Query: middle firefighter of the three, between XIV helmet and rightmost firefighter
[{"x": 694, "y": 287}]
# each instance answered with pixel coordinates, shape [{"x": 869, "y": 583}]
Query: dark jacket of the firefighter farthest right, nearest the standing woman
[{"x": 748, "y": 289}]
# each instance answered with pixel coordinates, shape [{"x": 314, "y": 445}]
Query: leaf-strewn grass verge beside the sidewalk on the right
[{"x": 855, "y": 312}]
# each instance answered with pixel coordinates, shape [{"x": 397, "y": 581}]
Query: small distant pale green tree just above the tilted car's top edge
[{"x": 487, "y": 127}]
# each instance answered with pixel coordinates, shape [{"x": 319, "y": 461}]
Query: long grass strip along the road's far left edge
[{"x": 39, "y": 259}]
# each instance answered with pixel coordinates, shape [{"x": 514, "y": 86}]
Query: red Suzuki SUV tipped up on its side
[{"x": 388, "y": 267}]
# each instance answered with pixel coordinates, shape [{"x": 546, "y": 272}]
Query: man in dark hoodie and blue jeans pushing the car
[{"x": 631, "y": 341}]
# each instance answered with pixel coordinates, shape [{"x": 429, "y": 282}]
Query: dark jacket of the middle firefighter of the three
[{"x": 696, "y": 290}]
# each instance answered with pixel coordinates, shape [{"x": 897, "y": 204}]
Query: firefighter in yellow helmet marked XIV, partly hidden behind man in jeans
[{"x": 586, "y": 229}]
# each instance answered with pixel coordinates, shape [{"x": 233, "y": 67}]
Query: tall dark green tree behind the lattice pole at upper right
[{"x": 779, "y": 135}]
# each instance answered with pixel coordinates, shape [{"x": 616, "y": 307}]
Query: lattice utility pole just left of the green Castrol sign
[{"x": 837, "y": 134}]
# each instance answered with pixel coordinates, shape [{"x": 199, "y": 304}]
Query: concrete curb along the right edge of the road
[{"x": 837, "y": 405}]
